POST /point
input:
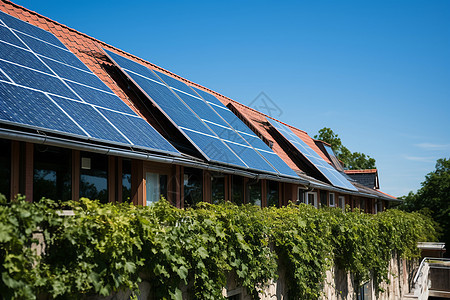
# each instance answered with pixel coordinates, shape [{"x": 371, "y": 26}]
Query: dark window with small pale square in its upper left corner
[{"x": 94, "y": 176}]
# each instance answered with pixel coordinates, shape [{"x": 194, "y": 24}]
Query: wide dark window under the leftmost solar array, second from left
[{"x": 52, "y": 174}]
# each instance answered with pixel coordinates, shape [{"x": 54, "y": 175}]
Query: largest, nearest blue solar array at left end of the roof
[{"x": 45, "y": 86}]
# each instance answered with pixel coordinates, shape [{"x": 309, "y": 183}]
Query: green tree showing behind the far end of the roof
[{"x": 350, "y": 160}]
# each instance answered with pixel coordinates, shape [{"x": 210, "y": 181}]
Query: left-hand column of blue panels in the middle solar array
[{"x": 181, "y": 115}]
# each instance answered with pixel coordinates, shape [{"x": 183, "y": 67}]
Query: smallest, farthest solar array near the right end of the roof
[{"x": 326, "y": 169}]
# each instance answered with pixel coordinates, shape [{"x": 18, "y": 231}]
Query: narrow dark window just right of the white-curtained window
[{"x": 193, "y": 186}]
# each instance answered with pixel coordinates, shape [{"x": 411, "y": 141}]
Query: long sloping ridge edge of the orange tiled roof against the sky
[{"x": 142, "y": 60}]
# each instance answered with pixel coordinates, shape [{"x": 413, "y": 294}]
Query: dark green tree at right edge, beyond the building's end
[{"x": 434, "y": 198}]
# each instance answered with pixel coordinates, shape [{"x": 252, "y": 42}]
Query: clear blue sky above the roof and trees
[{"x": 376, "y": 72}]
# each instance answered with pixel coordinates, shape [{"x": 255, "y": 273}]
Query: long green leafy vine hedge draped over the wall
[{"x": 103, "y": 248}]
